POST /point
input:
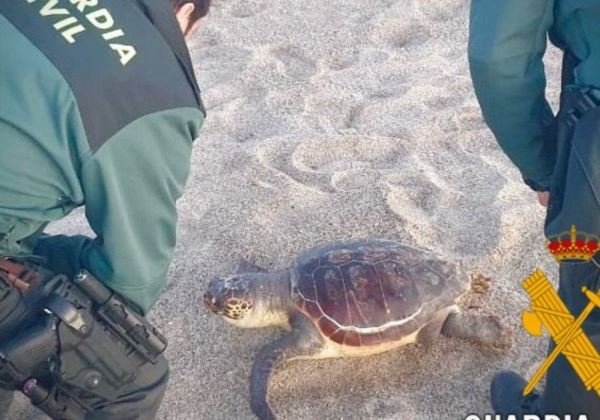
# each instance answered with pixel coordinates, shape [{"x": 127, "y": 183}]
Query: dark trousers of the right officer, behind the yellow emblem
[{"x": 575, "y": 200}]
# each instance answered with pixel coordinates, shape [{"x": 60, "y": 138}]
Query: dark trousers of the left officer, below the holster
[{"x": 138, "y": 399}]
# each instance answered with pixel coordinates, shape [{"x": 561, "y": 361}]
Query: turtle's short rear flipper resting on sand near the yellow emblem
[{"x": 483, "y": 329}]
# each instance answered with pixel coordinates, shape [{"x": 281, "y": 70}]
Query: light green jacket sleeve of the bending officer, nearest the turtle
[{"x": 131, "y": 185}]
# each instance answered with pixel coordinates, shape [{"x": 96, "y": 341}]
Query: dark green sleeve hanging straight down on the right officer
[{"x": 507, "y": 41}]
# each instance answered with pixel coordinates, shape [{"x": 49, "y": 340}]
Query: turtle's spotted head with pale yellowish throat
[{"x": 248, "y": 300}]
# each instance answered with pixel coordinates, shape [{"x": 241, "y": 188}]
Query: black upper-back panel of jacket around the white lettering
[{"x": 111, "y": 95}]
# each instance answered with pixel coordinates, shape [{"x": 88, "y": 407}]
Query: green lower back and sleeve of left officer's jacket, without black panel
[{"x": 129, "y": 186}]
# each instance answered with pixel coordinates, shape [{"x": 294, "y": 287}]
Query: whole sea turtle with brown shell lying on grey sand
[{"x": 354, "y": 298}]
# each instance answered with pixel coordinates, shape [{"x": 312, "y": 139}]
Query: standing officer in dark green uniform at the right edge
[{"x": 558, "y": 157}]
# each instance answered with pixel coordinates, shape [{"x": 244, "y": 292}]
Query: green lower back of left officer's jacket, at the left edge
[{"x": 42, "y": 140}]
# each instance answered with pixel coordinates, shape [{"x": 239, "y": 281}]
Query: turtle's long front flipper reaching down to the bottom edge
[{"x": 301, "y": 342}]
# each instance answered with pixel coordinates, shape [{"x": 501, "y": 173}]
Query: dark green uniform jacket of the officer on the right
[{"x": 506, "y": 45}]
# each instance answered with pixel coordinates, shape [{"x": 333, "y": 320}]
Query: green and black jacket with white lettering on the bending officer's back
[{"x": 98, "y": 108}]
